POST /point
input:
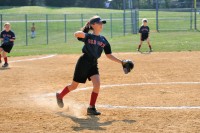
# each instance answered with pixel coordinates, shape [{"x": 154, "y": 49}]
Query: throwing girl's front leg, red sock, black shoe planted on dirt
[{"x": 96, "y": 87}]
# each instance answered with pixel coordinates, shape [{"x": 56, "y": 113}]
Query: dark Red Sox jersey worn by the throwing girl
[{"x": 94, "y": 45}]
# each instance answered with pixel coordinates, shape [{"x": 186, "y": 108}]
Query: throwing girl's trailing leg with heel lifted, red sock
[{"x": 65, "y": 91}]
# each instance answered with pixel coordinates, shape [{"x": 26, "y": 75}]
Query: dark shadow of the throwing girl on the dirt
[{"x": 91, "y": 122}]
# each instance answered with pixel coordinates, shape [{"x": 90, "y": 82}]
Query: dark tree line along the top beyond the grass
[{"x": 114, "y": 4}]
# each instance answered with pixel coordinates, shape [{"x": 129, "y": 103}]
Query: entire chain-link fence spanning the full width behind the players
[{"x": 59, "y": 28}]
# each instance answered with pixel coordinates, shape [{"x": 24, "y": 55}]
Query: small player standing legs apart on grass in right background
[{"x": 144, "y": 34}]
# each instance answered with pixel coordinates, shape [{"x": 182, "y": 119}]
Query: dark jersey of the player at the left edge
[{"x": 7, "y": 36}]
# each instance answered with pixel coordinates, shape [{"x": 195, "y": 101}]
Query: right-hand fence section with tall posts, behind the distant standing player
[{"x": 171, "y": 19}]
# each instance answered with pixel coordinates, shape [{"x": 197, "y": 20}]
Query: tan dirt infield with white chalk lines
[{"x": 161, "y": 94}]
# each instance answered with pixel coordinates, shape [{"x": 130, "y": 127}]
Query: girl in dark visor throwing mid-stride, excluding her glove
[{"x": 86, "y": 67}]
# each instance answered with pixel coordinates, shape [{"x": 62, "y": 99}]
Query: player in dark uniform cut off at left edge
[{"x": 7, "y": 37}]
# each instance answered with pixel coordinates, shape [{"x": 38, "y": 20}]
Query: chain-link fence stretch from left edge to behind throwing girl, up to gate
[{"x": 59, "y": 28}]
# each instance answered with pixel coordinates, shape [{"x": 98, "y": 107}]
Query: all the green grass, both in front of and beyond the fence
[{"x": 164, "y": 41}]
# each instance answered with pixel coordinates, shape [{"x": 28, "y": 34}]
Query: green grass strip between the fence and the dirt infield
[{"x": 164, "y": 41}]
